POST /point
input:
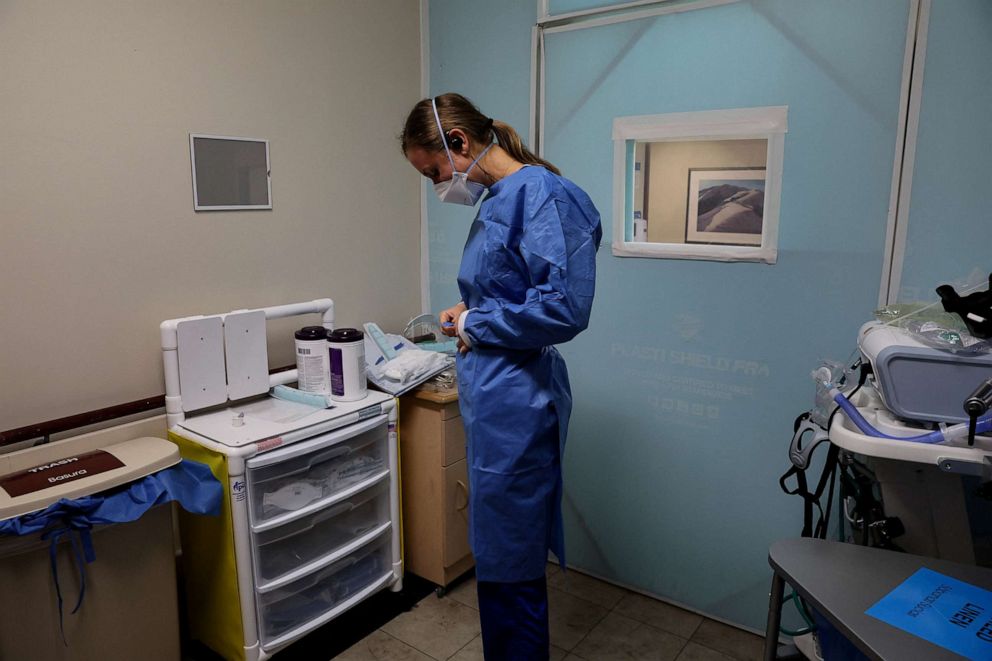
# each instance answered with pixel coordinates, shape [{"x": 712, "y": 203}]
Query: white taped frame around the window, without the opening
[{"x": 768, "y": 123}]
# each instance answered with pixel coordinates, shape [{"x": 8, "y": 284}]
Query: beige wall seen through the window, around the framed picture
[{"x": 669, "y": 178}]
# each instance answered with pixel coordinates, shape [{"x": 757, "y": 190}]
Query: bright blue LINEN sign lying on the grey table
[{"x": 943, "y": 610}]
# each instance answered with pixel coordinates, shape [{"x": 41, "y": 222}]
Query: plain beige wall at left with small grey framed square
[{"x": 98, "y": 238}]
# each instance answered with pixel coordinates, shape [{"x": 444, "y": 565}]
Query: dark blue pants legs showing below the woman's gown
[{"x": 515, "y": 620}]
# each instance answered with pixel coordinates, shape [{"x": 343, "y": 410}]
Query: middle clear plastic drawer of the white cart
[{"x": 305, "y": 541}]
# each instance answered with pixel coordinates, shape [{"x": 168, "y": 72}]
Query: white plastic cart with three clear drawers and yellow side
[{"x": 310, "y": 524}]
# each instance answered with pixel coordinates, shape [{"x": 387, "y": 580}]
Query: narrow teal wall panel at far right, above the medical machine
[{"x": 950, "y": 223}]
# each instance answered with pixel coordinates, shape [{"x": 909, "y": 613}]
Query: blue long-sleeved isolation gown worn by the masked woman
[{"x": 528, "y": 276}]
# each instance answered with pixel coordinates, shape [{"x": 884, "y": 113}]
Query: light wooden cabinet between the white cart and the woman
[{"x": 435, "y": 487}]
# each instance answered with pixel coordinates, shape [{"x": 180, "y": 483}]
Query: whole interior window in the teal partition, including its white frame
[{"x": 699, "y": 185}]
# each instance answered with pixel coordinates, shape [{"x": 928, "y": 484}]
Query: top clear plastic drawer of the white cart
[{"x": 296, "y": 480}]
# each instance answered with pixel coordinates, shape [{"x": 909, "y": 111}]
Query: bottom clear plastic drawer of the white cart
[{"x": 283, "y": 610}]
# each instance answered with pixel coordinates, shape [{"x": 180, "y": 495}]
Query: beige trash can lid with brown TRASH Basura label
[{"x": 34, "y": 478}]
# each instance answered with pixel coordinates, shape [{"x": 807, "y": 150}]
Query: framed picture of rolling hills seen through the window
[{"x": 726, "y": 206}]
